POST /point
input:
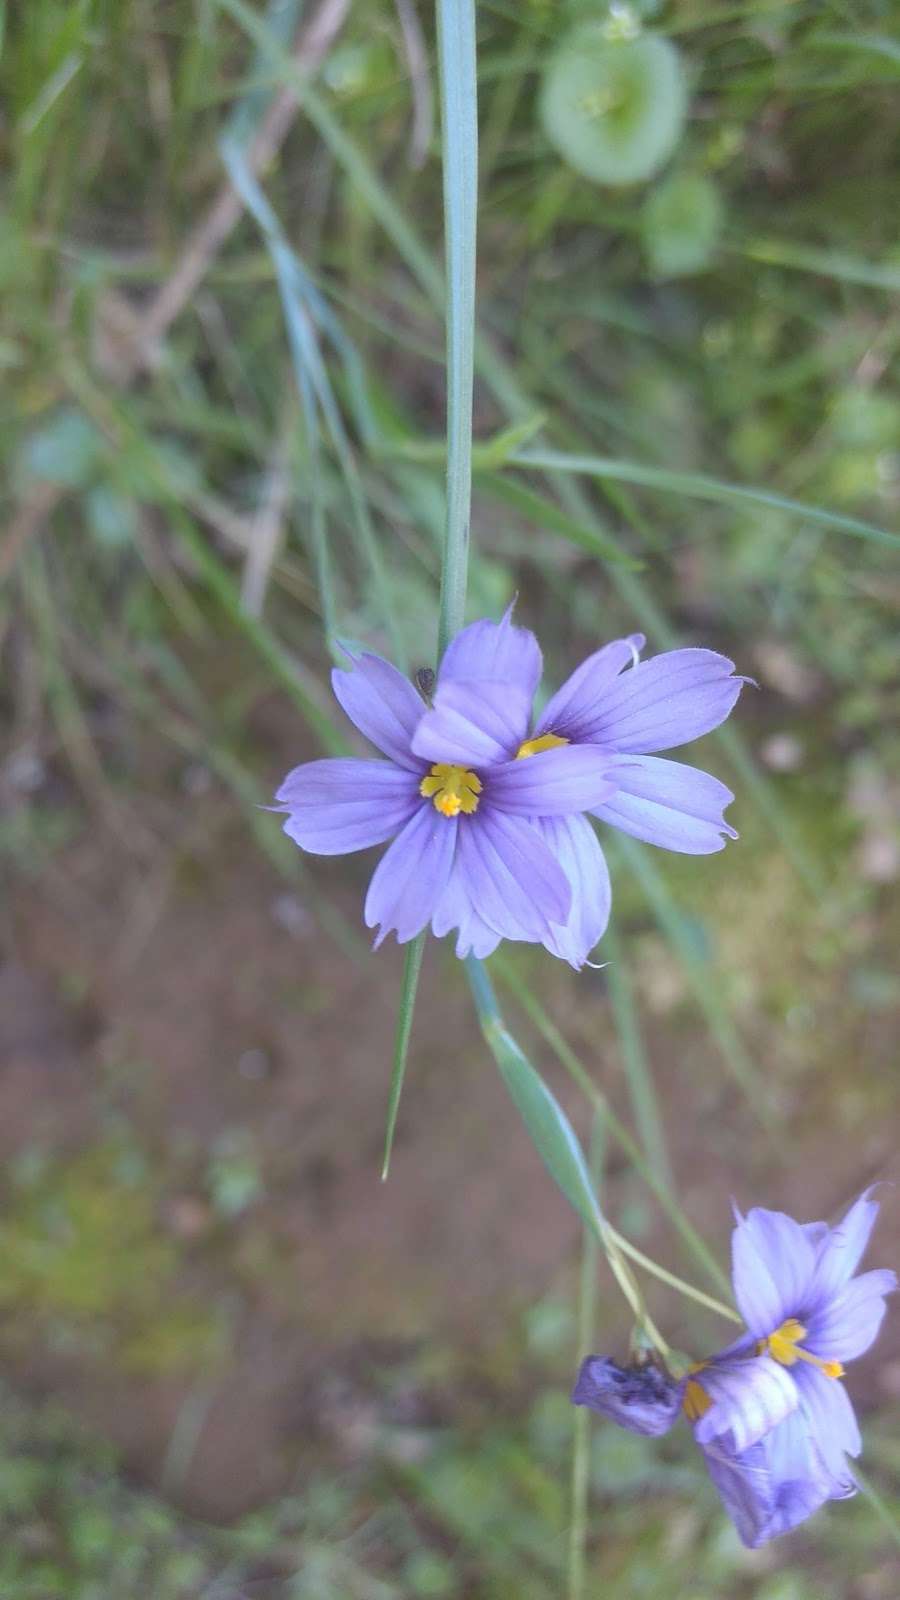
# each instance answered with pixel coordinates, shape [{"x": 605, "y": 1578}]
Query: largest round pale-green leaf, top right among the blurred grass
[{"x": 614, "y": 110}]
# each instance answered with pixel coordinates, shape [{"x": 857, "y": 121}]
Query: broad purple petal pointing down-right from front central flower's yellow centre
[{"x": 510, "y": 878}]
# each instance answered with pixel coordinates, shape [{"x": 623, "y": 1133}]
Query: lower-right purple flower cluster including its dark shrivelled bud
[{"x": 771, "y": 1414}]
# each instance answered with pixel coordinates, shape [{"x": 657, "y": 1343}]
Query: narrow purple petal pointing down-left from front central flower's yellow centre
[{"x": 409, "y": 881}]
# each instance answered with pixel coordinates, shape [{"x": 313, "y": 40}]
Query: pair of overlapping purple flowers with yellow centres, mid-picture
[{"x": 488, "y": 815}]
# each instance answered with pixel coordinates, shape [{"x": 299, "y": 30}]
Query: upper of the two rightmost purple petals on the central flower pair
[{"x": 664, "y": 702}]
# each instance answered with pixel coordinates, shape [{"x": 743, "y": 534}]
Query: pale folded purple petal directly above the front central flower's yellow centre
[{"x": 475, "y": 724}]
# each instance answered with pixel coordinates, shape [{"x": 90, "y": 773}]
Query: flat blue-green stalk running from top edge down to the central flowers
[{"x": 460, "y": 132}]
